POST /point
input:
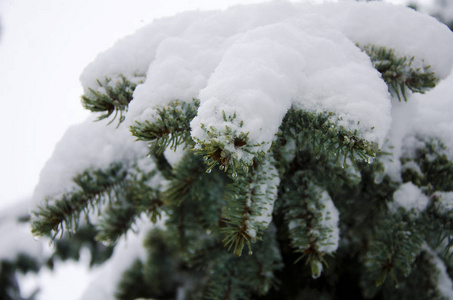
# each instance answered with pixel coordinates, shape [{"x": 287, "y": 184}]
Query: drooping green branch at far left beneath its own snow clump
[{"x": 56, "y": 215}]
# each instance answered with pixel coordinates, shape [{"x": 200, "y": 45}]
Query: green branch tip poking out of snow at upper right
[{"x": 399, "y": 73}]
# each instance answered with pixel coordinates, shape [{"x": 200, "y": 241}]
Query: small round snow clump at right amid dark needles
[{"x": 409, "y": 197}]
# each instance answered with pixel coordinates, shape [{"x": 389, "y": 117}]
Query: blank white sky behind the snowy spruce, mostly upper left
[{"x": 44, "y": 46}]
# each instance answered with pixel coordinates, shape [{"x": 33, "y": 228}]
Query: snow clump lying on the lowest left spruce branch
[{"x": 87, "y": 145}]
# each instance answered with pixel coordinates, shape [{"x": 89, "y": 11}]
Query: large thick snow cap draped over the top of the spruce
[{"x": 257, "y": 61}]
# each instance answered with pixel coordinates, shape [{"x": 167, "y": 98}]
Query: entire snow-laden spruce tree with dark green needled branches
[{"x": 270, "y": 130}]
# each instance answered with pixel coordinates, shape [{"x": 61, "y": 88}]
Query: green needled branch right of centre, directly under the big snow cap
[{"x": 318, "y": 132}]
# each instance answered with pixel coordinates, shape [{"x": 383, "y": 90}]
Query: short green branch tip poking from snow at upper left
[{"x": 111, "y": 97}]
